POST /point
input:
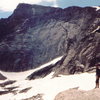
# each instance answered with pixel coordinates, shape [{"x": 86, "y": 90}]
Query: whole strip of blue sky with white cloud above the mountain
[{"x": 7, "y": 6}]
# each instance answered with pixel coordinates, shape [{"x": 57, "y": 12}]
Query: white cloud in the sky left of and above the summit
[{"x": 10, "y": 5}]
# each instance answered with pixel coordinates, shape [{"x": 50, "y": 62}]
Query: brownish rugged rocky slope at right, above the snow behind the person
[{"x": 83, "y": 50}]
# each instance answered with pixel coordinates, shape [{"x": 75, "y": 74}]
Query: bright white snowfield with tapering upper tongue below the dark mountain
[{"x": 49, "y": 87}]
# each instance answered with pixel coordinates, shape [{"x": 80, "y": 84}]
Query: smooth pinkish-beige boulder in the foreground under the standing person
[{"x": 74, "y": 94}]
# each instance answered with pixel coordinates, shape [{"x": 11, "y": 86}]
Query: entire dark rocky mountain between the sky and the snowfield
[{"x": 34, "y": 35}]
